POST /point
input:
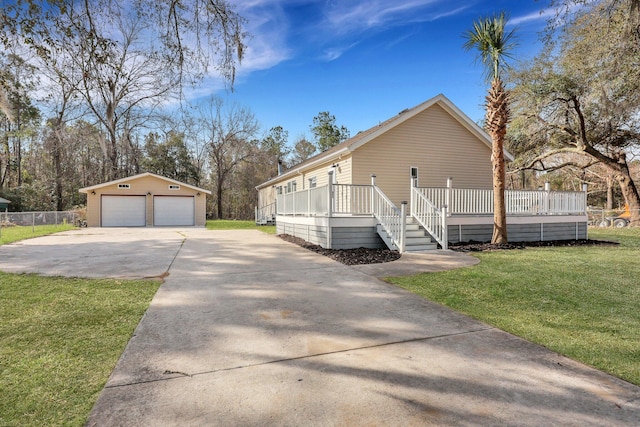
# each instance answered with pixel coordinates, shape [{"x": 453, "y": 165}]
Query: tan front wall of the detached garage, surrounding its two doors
[{"x": 141, "y": 187}]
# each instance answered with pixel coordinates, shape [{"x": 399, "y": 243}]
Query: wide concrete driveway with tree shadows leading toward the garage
[{"x": 250, "y": 330}]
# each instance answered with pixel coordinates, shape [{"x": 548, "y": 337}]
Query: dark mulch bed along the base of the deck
[{"x": 361, "y": 256}]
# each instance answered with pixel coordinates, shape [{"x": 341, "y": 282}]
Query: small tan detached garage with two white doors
[{"x": 145, "y": 200}]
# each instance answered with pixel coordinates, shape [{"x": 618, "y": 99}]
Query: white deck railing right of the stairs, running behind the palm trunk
[{"x": 463, "y": 201}]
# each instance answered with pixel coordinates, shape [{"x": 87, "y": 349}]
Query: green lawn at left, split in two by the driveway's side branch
[{"x": 60, "y": 338}]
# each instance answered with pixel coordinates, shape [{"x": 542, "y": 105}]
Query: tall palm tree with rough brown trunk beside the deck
[{"x": 494, "y": 46}]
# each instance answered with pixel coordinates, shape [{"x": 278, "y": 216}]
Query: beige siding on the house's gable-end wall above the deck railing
[{"x": 434, "y": 142}]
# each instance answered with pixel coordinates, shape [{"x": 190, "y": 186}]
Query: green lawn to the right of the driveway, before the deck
[{"x": 581, "y": 302}]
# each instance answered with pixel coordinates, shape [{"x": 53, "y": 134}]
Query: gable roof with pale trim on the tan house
[{"x": 364, "y": 137}]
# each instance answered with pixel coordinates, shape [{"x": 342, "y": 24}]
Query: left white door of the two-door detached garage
[{"x": 124, "y": 211}]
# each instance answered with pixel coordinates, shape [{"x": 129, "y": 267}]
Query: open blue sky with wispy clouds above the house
[{"x": 365, "y": 60}]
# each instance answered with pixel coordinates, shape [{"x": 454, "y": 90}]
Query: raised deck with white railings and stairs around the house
[{"x": 352, "y": 216}]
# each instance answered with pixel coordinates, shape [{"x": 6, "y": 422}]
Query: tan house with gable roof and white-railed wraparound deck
[{"x": 433, "y": 157}]
